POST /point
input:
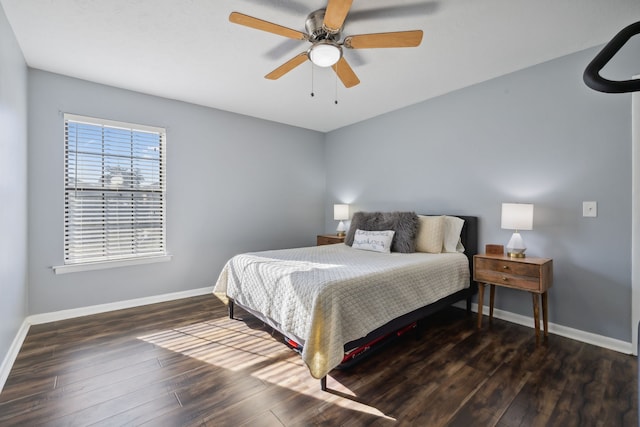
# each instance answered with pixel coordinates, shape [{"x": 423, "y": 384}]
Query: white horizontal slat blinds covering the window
[{"x": 114, "y": 190}]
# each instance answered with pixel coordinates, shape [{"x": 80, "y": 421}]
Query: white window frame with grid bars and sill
[{"x": 105, "y": 193}]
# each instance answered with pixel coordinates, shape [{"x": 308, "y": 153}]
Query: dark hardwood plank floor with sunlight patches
[{"x": 184, "y": 363}]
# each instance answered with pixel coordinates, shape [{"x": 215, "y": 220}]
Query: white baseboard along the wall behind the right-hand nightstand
[{"x": 564, "y": 331}]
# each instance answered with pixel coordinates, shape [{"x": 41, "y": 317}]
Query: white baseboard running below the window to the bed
[{"x": 37, "y": 319}]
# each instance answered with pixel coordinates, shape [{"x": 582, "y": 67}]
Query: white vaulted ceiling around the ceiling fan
[{"x": 188, "y": 50}]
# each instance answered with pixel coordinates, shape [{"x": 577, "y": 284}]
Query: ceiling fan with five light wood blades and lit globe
[{"x": 323, "y": 32}]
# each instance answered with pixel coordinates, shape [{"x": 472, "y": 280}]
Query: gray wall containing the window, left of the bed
[{"x": 234, "y": 184}]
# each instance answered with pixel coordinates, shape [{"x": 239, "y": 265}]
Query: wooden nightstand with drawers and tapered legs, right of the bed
[{"x": 534, "y": 275}]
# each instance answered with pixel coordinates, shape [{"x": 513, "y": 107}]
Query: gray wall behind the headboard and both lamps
[{"x": 538, "y": 136}]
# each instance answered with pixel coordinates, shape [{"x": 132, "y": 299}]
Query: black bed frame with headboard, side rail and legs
[{"x": 469, "y": 237}]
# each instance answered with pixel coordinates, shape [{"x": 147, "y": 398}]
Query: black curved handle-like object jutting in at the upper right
[{"x": 592, "y": 76}]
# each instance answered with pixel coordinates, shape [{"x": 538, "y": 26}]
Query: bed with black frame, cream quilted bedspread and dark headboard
[{"x": 333, "y": 303}]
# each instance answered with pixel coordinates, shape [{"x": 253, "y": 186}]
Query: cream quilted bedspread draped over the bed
[{"x": 332, "y": 294}]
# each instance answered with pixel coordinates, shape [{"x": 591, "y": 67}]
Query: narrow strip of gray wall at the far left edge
[{"x": 13, "y": 187}]
